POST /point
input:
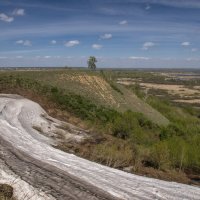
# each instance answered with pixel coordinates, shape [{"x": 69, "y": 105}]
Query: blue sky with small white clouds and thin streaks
[{"x": 119, "y": 33}]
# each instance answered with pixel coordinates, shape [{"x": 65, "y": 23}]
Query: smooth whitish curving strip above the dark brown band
[{"x": 18, "y": 115}]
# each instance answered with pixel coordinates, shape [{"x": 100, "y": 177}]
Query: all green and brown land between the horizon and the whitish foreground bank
[{"x": 144, "y": 122}]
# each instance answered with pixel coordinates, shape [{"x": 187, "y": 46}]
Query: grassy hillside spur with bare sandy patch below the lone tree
[{"x": 95, "y": 87}]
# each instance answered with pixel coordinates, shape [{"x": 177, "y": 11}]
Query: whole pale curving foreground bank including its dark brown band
[{"x": 38, "y": 171}]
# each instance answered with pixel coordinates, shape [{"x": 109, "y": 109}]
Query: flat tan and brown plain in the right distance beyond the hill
[{"x": 179, "y": 87}]
